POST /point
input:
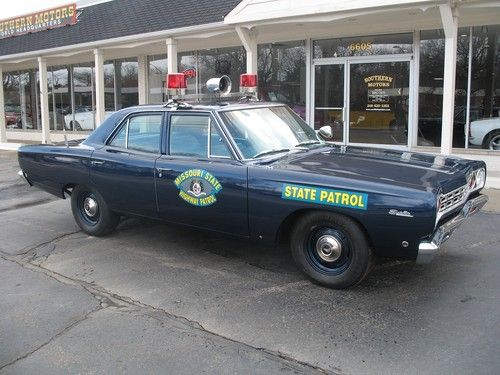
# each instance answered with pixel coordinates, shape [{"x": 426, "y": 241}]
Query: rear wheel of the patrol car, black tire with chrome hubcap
[{"x": 91, "y": 212}]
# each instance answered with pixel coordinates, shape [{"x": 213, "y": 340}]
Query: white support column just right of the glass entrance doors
[{"x": 450, "y": 26}]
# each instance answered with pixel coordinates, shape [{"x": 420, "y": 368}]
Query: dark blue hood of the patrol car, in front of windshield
[{"x": 399, "y": 168}]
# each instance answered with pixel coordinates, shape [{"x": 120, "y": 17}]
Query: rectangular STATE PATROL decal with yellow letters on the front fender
[{"x": 325, "y": 196}]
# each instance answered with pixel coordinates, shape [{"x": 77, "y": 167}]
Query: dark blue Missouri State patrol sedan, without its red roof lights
[{"x": 256, "y": 170}]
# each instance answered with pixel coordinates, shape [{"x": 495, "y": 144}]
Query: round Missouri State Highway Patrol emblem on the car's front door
[{"x": 198, "y": 187}]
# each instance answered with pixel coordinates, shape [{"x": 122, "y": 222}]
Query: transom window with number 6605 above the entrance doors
[{"x": 364, "y": 46}]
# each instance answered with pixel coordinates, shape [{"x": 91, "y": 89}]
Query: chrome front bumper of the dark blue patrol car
[{"x": 428, "y": 249}]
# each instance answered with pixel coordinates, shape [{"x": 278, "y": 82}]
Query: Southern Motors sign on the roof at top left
[{"x": 43, "y": 20}]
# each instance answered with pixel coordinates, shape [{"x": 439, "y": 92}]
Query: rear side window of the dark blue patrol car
[{"x": 141, "y": 133}]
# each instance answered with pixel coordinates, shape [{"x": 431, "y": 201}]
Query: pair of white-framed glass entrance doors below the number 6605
[{"x": 363, "y": 101}]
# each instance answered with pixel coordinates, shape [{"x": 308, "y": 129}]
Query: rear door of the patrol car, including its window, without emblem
[{"x": 123, "y": 170}]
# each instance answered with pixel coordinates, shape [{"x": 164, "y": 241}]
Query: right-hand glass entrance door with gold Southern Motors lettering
[{"x": 378, "y": 102}]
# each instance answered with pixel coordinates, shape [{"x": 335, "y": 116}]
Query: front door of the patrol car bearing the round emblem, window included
[{"x": 198, "y": 181}]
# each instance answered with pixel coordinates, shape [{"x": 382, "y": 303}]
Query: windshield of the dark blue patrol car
[{"x": 264, "y": 131}]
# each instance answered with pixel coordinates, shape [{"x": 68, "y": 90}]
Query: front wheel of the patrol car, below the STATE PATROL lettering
[{"x": 331, "y": 267}]
